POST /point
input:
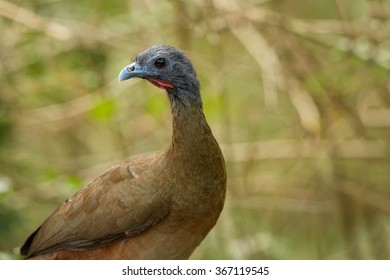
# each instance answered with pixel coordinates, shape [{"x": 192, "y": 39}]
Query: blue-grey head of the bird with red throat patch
[{"x": 168, "y": 68}]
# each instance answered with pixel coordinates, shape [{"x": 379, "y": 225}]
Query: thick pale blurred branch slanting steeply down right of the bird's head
[{"x": 273, "y": 74}]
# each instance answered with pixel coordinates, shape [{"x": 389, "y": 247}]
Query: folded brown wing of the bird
[{"x": 124, "y": 201}]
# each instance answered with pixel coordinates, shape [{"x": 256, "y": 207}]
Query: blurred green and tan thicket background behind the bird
[{"x": 297, "y": 93}]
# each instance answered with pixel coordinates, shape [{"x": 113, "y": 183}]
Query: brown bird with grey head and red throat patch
[{"x": 149, "y": 207}]
